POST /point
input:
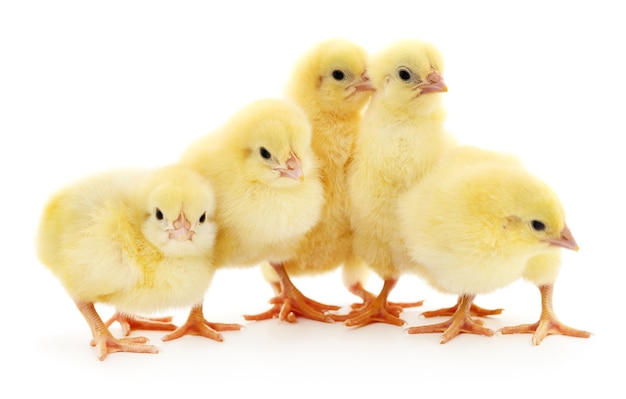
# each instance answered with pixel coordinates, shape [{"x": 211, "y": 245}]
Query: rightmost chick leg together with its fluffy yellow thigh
[{"x": 542, "y": 270}]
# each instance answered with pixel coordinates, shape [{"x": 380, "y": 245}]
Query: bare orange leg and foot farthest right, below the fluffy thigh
[{"x": 548, "y": 323}]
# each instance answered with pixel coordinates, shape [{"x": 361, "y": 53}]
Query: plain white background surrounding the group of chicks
[{"x": 87, "y": 86}]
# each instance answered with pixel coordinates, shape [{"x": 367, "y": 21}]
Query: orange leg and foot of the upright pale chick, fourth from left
[{"x": 378, "y": 310}]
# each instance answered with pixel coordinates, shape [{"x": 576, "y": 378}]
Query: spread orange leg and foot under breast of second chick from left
[{"x": 291, "y": 302}]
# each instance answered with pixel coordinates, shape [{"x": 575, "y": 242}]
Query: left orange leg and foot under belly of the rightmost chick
[{"x": 460, "y": 322}]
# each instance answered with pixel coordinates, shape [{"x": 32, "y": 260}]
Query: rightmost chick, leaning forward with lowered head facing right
[{"x": 476, "y": 223}]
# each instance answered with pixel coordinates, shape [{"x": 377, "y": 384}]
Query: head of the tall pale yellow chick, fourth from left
[{"x": 408, "y": 75}]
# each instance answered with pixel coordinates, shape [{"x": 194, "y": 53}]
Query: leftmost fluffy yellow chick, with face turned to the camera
[{"x": 138, "y": 240}]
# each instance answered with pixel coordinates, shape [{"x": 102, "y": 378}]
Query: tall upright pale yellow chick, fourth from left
[{"x": 402, "y": 136}]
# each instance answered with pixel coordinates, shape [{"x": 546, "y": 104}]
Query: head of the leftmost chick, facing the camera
[{"x": 179, "y": 207}]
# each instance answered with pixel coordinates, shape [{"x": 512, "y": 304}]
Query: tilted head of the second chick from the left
[{"x": 272, "y": 139}]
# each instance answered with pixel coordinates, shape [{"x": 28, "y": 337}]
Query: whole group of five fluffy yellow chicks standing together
[{"x": 353, "y": 168}]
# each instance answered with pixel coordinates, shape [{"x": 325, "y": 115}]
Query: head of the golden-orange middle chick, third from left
[{"x": 332, "y": 77}]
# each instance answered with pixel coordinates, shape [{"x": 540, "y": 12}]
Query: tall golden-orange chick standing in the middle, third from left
[{"x": 331, "y": 85}]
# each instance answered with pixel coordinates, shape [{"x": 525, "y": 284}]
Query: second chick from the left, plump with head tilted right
[{"x": 268, "y": 191}]
